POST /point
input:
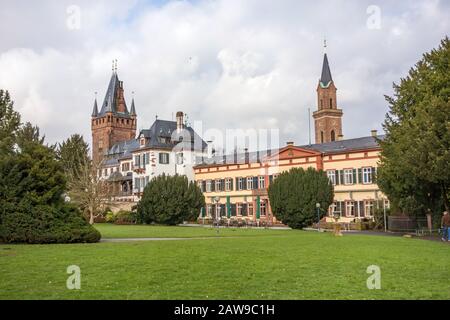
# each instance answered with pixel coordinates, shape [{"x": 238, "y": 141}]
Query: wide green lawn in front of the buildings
[{"x": 241, "y": 264}]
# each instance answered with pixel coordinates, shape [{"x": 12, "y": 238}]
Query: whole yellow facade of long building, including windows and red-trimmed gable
[{"x": 356, "y": 195}]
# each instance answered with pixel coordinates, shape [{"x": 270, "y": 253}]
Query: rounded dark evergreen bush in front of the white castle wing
[{"x": 170, "y": 200}]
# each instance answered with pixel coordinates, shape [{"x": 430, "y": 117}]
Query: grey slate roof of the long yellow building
[{"x": 363, "y": 143}]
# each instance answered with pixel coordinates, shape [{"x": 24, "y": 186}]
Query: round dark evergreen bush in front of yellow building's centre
[{"x": 294, "y": 194}]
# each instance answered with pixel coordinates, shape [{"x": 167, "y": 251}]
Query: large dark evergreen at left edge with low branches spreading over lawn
[{"x": 32, "y": 208}]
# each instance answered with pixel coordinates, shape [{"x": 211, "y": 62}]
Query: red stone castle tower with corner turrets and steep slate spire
[{"x": 114, "y": 123}]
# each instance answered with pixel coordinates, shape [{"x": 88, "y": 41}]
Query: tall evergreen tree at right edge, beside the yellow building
[{"x": 415, "y": 158}]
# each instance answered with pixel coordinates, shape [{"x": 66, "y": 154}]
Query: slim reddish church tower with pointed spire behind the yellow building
[{"x": 327, "y": 118}]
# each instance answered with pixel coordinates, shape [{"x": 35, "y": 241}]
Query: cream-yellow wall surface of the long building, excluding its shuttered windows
[{"x": 357, "y": 192}]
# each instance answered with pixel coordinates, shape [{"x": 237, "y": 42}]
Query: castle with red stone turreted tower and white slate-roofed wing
[{"x": 128, "y": 162}]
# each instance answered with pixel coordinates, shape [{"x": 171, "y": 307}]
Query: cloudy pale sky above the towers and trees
[{"x": 230, "y": 63}]
